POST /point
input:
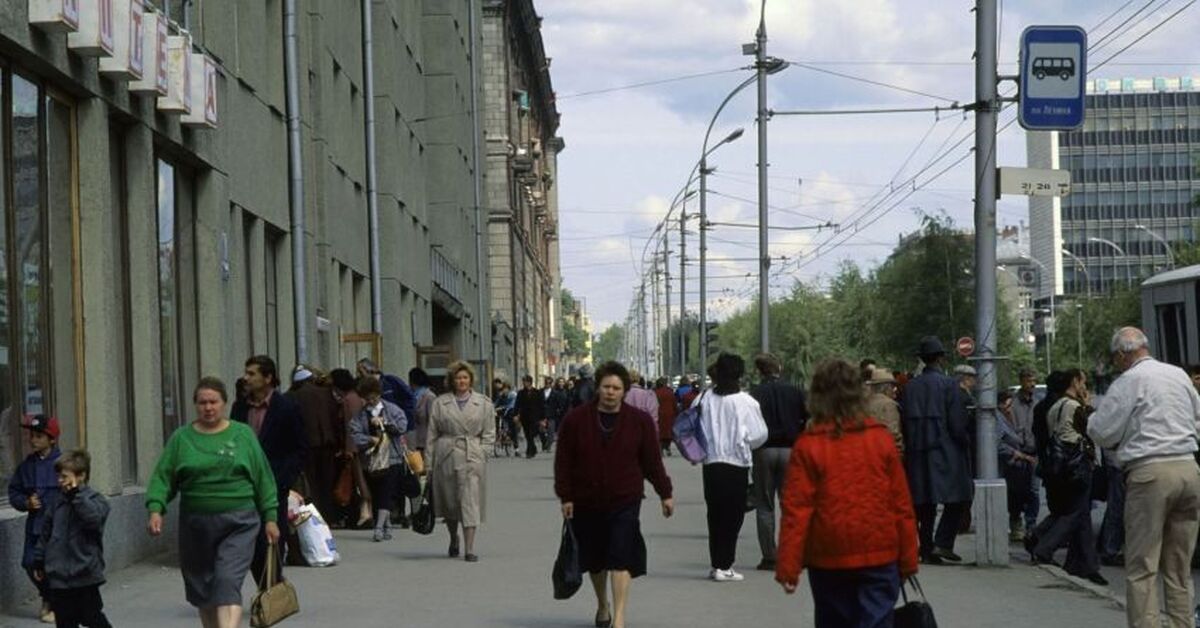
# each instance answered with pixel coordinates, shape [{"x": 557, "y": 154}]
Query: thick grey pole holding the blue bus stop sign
[{"x": 991, "y": 505}]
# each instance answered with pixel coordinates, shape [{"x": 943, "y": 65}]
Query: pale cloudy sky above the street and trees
[{"x": 631, "y": 149}]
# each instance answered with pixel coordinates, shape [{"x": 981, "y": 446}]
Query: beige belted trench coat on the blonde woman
[{"x": 458, "y": 446}]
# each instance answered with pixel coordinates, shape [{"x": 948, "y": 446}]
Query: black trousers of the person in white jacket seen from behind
[{"x": 725, "y": 498}]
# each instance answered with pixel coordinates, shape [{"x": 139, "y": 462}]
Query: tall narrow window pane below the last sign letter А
[{"x": 169, "y": 300}]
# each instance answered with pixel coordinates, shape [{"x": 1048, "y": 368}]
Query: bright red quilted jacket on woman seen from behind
[{"x": 845, "y": 504}]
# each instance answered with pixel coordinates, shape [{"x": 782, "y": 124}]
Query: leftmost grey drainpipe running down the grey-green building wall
[{"x": 296, "y": 180}]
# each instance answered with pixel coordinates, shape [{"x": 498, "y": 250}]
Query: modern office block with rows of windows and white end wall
[{"x": 1135, "y": 184}]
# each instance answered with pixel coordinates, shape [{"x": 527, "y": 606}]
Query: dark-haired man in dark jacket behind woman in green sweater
[{"x": 280, "y": 428}]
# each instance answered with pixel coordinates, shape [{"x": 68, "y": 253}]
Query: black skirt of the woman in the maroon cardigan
[{"x": 611, "y": 541}]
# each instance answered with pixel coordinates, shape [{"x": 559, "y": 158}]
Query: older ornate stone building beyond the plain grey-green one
[{"x": 521, "y": 192}]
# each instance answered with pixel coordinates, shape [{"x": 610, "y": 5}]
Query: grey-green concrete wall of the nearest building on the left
[{"x": 235, "y": 229}]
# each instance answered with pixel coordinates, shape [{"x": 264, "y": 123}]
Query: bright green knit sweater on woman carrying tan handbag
[{"x": 214, "y": 474}]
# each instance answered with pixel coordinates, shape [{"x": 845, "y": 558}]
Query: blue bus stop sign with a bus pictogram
[{"x": 1054, "y": 71}]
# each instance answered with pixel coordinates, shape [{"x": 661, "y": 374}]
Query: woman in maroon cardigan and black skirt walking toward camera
[{"x": 607, "y": 452}]
